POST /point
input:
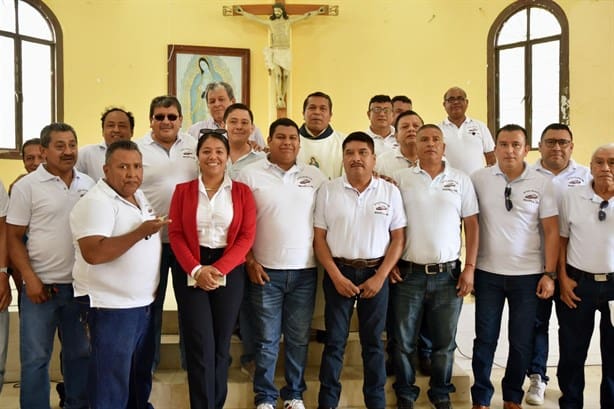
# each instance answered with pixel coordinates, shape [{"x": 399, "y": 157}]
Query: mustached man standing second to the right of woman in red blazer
[{"x": 359, "y": 231}]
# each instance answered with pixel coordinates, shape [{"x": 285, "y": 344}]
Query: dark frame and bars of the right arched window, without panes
[{"x": 493, "y": 63}]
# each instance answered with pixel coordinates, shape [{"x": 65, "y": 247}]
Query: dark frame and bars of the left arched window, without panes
[{"x": 57, "y": 68}]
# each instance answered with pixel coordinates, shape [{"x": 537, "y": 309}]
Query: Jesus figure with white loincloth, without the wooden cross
[{"x": 277, "y": 56}]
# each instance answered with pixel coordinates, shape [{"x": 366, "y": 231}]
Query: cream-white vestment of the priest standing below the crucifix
[{"x": 325, "y": 154}]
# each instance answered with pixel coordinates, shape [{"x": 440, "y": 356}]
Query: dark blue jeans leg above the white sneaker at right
[{"x": 539, "y": 356}]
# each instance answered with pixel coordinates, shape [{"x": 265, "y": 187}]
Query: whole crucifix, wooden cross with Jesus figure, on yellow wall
[{"x": 278, "y": 54}]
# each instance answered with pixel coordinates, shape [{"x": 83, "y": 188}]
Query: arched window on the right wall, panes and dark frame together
[{"x": 528, "y": 71}]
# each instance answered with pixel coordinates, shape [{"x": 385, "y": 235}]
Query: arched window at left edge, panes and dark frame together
[{"x": 30, "y": 89}]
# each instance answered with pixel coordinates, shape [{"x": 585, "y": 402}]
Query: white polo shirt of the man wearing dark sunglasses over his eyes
[{"x": 163, "y": 170}]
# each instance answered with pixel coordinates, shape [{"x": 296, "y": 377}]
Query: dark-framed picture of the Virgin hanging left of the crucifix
[{"x": 191, "y": 68}]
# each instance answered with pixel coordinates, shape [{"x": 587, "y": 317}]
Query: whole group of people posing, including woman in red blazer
[{"x": 245, "y": 227}]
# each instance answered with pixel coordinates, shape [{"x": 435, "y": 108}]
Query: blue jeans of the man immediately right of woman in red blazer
[{"x": 284, "y": 305}]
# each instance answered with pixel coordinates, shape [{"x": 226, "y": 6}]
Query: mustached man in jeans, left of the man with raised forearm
[{"x": 40, "y": 204}]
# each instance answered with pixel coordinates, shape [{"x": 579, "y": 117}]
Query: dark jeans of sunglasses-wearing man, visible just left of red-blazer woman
[{"x": 167, "y": 261}]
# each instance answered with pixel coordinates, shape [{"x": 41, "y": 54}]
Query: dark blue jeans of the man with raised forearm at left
[{"x": 122, "y": 348}]
